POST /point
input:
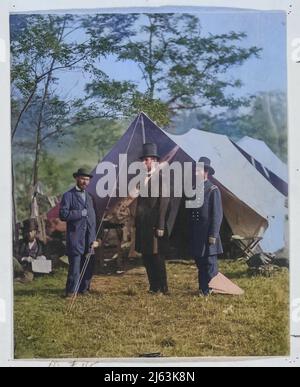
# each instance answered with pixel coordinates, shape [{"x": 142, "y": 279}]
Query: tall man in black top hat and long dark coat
[{"x": 151, "y": 229}]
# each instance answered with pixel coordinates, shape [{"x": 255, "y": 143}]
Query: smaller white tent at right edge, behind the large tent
[{"x": 266, "y": 162}]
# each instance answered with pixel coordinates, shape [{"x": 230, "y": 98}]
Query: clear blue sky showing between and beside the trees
[{"x": 266, "y": 30}]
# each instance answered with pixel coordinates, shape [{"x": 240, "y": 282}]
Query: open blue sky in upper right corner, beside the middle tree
[{"x": 266, "y": 30}]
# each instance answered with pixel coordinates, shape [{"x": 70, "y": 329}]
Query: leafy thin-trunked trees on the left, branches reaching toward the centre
[{"x": 44, "y": 46}]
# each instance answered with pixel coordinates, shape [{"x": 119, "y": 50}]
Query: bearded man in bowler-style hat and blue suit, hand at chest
[{"x": 77, "y": 209}]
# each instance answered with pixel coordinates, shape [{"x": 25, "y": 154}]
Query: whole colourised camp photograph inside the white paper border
[{"x": 178, "y": 85}]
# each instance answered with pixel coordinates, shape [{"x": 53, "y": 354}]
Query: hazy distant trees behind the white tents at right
[{"x": 265, "y": 119}]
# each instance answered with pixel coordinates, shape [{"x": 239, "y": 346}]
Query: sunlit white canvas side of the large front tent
[{"x": 252, "y": 206}]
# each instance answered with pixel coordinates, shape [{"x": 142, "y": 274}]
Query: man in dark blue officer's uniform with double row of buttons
[{"x": 205, "y": 224}]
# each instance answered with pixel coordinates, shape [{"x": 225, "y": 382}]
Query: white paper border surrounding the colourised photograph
[{"x": 6, "y": 274}]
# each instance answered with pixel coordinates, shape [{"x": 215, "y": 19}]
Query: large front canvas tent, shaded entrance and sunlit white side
[{"x": 252, "y": 206}]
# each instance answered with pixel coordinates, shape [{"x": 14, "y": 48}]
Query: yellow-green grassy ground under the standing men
[{"x": 120, "y": 319}]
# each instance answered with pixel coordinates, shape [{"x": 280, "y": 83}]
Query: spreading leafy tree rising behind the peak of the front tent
[{"x": 182, "y": 69}]
